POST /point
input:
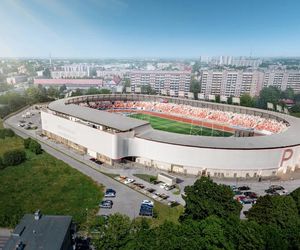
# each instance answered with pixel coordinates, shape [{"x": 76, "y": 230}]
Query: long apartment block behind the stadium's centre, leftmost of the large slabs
[{"x": 162, "y": 81}]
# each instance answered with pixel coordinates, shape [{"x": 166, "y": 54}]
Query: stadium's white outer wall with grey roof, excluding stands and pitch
[{"x": 112, "y": 137}]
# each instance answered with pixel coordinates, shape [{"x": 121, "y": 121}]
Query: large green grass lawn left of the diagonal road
[{"x": 43, "y": 182}]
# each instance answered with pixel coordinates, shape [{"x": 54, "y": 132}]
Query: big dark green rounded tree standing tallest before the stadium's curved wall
[{"x": 206, "y": 198}]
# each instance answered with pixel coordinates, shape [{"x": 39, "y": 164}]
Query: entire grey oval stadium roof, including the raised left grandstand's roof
[{"x": 289, "y": 137}]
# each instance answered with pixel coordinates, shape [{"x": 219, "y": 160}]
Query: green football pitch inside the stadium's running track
[{"x": 178, "y": 127}]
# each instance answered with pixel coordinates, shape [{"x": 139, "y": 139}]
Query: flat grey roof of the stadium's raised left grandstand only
[{"x": 111, "y": 120}]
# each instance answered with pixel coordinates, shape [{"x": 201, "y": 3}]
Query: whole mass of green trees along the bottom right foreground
[{"x": 211, "y": 220}]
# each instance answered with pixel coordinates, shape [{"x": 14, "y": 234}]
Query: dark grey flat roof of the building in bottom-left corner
[{"x": 46, "y": 233}]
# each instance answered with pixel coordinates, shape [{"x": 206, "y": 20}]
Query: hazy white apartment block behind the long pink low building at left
[{"x": 71, "y": 71}]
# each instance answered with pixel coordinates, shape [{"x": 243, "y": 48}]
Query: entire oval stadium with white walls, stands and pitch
[{"x": 176, "y": 135}]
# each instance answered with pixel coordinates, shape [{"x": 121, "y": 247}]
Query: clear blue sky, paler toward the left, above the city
[{"x": 149, "y": 28}]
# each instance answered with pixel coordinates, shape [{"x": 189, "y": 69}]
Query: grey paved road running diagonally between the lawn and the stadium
[{"x": 127, "y": 200}]
